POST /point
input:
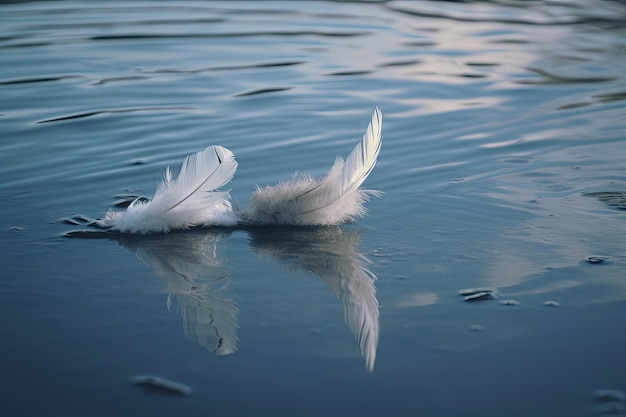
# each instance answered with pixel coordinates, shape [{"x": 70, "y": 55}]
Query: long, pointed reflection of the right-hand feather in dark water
[{"x": 332, "y": 254}]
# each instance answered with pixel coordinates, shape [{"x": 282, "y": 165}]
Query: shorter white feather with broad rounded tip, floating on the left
[{"x": 192, "y": 199}]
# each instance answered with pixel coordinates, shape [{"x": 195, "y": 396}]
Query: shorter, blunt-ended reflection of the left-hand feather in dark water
[{"x": 190, "y": 264}]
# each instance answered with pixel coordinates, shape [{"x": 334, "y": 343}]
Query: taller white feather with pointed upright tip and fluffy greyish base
[{"x": 336, "y": 198}]
